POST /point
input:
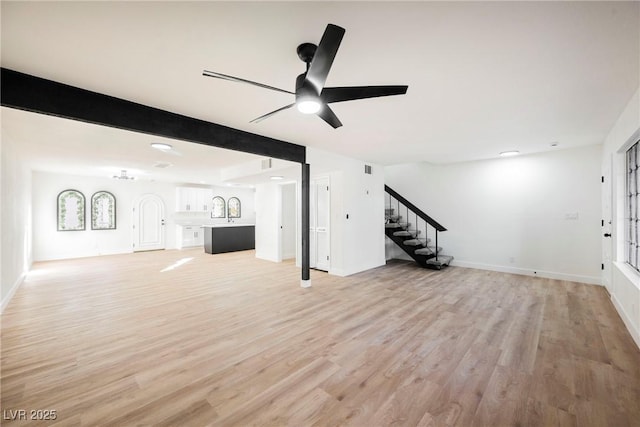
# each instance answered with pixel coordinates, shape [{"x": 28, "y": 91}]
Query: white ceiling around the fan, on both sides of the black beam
[{"x": 484, "y": 77}]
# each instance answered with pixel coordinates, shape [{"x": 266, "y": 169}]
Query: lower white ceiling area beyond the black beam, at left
[{"x": 72, "y": 147}]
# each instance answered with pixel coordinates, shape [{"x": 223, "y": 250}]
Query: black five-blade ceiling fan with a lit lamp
[{"x": 312, "y": 97}]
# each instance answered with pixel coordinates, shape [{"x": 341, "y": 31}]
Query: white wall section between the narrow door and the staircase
[{"x": 357, "y": 242}]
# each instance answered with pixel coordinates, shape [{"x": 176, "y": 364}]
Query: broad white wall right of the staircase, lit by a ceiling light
[{"x": 510, "y": 214}]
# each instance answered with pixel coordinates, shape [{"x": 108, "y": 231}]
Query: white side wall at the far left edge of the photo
[{"x": 15, "y": 222}]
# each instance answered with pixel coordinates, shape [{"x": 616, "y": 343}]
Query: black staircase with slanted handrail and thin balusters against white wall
[{"x": 410, "y": 229}]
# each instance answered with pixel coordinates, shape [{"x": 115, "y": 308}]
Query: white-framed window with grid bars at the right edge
[{"x": 632, "y": 201}]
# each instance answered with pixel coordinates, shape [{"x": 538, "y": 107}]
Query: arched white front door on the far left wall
[{"x": 148, "y": 223}]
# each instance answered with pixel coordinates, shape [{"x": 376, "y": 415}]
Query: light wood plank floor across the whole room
[{"x": 229, "y": 340}]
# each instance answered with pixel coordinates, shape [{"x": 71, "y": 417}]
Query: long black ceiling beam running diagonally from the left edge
[{"x": 31, "y": 93}]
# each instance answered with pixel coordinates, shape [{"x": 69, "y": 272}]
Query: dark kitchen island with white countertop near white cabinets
[{"x": 220, "y": 238}]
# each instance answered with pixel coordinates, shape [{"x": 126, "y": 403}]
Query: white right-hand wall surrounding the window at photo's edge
[{"x": 625, "y": 282}]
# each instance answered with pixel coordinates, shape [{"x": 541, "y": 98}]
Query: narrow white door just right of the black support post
[{"x": 319, "y": 224}]
